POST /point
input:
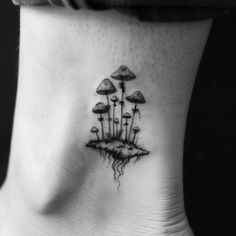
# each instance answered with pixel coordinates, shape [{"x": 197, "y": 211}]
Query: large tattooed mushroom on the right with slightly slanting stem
[{"x": 136, "y": 98}]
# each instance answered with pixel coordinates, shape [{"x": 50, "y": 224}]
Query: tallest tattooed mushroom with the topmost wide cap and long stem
[{"x": 122, "y": 74}]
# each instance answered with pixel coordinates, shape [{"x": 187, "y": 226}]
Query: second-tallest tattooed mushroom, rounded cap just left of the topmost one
[{"x": 106, "y": 87}]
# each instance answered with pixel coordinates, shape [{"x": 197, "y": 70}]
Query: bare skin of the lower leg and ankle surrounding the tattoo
[{"x": 58, "y": 186}]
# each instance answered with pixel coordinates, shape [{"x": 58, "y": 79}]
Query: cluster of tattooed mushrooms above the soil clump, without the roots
[{"x": 107, "y": 88}]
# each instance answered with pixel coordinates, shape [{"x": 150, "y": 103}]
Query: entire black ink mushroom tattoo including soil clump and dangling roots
[{"x": 119, "y": 144}]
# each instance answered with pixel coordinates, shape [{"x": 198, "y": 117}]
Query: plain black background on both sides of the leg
[{"x": 209, "y": 159}]
